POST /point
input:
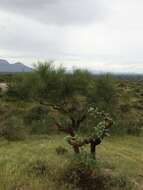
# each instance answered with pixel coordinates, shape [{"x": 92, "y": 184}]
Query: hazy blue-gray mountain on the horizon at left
[{"x": 6, "y": 67}]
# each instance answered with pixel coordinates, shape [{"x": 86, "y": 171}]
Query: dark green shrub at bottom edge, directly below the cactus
[{"x": 85, "y": 174}]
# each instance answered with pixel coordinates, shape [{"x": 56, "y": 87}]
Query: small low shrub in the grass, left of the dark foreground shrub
[{"x": 38, "y": 168}]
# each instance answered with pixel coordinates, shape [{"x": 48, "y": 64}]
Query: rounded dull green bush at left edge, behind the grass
[{"x": 13, "y": 129}]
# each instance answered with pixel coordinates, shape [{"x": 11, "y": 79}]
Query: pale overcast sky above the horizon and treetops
[{"x": 101, "y": 35}]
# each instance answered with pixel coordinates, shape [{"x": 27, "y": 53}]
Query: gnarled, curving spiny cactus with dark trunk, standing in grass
[{"x": 97, "y": 134}]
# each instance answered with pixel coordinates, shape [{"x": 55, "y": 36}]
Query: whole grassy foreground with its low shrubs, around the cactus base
[{"x": 35, "y": 164}]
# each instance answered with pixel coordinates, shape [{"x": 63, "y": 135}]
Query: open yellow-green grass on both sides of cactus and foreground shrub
[{"x": 121, "y": 155}]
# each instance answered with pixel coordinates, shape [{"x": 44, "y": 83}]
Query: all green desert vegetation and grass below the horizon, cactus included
[{"x": 45, "y": 109}]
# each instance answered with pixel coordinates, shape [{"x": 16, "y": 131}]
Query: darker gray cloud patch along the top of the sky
[{"x": 60, "y": 12}]
